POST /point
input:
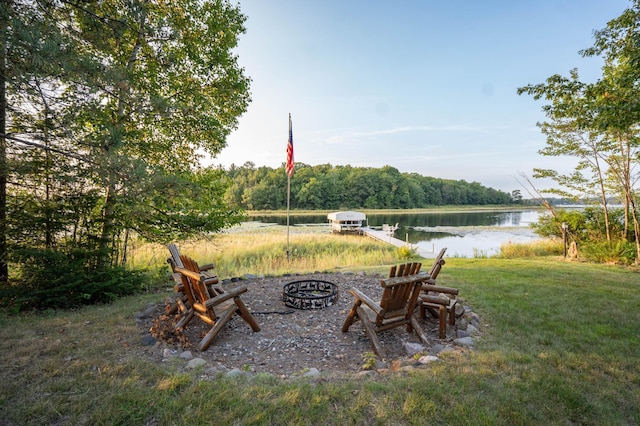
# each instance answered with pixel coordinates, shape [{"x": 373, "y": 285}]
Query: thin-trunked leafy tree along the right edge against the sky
[{"x": 599, "y": 122}]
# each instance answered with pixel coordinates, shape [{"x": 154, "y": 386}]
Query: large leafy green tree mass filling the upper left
[{"x": 126, "y": 96}]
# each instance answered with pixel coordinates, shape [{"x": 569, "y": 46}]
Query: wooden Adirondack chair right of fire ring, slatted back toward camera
[{"x": 395, "y": 309}]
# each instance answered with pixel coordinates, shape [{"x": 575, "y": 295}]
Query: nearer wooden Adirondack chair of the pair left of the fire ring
[{"x": 215, "y": 311}]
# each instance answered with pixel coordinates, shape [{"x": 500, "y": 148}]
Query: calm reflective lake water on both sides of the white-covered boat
[{"x": 465, "y": 234}]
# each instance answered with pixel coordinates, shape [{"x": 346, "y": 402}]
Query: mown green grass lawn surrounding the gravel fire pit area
[{"x": 560, "y": 344}]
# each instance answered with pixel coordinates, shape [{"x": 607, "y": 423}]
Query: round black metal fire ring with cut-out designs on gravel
[{"x": 310, "y": 294}]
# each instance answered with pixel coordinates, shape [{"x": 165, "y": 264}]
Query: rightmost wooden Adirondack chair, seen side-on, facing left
[{"x": 439, "y": 300}]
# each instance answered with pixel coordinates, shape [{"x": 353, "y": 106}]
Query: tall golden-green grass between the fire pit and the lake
[{"x": 263, "y": 250}]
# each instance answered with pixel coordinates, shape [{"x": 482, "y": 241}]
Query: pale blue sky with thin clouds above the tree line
[{"x": 420, "y": 85}]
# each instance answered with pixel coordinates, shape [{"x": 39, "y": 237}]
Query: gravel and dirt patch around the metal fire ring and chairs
[{"x": 292, "y": 341}]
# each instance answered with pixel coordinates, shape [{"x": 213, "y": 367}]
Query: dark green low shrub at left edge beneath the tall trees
[{"x": 51, "y": 279}]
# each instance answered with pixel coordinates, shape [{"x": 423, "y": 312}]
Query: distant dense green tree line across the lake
[{"x": 327, "y": 187}]
